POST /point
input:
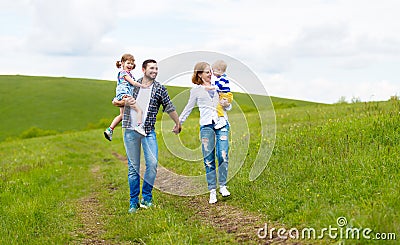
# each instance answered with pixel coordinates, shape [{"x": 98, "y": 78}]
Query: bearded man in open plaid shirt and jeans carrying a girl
[{"x": 149, "y": 99}]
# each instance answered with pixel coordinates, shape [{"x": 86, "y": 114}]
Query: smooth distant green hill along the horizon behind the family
[{"x": 47, "y": 105}]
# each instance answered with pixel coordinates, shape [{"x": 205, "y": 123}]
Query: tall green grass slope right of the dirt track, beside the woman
[{"x": 328, "y": 162}]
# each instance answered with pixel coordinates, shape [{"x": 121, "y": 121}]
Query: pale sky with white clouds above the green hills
[{"x": 317, "y": 50}]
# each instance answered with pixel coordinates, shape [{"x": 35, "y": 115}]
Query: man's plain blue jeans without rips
[{"x": 133, "y": 141}]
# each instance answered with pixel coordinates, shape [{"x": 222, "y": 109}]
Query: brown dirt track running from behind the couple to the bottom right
[{"x": 231, "y": 219}]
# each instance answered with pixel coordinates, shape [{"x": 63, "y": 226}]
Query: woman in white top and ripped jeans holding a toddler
[{"x": 214, "y": 141}]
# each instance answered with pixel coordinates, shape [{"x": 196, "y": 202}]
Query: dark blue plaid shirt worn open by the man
[{"x": 159, "y": 96}]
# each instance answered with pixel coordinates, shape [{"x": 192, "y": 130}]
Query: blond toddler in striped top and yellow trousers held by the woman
[{"x": 223, "y": 89}]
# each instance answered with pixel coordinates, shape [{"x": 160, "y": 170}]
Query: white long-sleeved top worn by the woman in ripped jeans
[{"x": 207, "y": 105}]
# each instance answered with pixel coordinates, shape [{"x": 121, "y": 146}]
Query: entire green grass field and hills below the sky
[{"x": 329, "y": 161}]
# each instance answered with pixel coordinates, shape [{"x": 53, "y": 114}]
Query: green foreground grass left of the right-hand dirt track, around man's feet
[{"x": 43, "y": 179}]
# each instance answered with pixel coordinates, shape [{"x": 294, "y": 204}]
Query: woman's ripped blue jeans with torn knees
[{"x": 215, "y": 142}]
